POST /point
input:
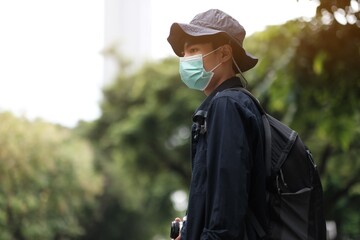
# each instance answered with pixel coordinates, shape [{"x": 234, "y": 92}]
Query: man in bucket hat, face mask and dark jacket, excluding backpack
[{"x": 228, "y": 168}]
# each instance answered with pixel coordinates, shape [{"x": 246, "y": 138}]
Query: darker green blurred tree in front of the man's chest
[{"x": 143, "y": 139}]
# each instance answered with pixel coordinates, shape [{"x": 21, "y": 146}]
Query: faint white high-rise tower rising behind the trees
[{"x": 128, "y": 30}]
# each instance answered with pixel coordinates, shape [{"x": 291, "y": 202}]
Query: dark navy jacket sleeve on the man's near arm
[{"x": 228, "y": 169}]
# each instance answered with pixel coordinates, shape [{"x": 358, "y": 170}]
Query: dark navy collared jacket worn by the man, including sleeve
[{"x": 228, "y": 168}]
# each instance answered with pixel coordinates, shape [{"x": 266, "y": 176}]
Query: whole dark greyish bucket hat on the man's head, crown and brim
[{"x": 213, "y": 22}]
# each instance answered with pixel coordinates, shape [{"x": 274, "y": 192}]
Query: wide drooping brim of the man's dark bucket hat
[{"x": 179, "y": 32}]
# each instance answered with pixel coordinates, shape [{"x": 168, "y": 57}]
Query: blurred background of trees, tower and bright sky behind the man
[{"x": 95, "y": 122}]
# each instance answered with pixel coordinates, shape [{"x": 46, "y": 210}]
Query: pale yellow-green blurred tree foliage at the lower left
[{"x": 46, "y": 180}]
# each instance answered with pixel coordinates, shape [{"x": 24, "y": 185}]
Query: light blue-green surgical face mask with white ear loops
[{"x": 192, "y": 71}]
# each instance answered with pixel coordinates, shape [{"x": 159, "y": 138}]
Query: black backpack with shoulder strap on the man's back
[{"x": 295, "y": 194}]
